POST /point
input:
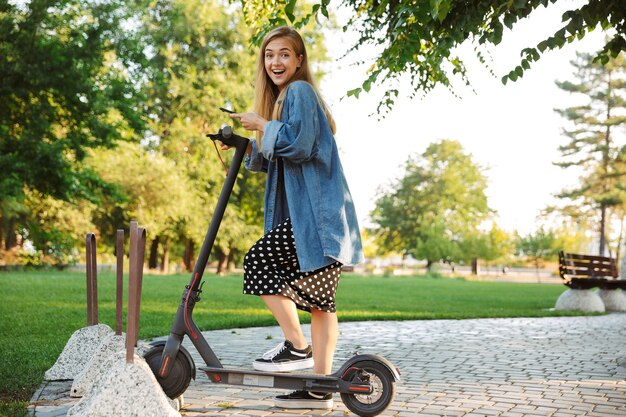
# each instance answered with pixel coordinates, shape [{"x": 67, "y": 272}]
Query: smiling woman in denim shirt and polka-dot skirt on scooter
[{"x": 311, "y": 228}]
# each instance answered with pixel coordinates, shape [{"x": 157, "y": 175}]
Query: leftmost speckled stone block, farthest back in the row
[{"x": 81, "y": 346}]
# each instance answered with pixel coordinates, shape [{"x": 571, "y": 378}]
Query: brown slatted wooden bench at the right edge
[{"x": 584, "y": 272}]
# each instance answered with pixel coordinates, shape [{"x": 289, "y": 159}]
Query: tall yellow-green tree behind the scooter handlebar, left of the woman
[{"x": 201, "y": 60}]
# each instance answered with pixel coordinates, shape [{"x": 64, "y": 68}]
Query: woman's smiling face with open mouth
[{"x": 281, "y": 61}]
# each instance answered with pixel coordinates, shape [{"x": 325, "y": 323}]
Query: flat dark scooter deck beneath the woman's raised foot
[{"x": 272, "y": 379}]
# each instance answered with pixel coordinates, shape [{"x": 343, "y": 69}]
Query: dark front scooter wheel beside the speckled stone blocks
[{"x": 179, "y": 378}]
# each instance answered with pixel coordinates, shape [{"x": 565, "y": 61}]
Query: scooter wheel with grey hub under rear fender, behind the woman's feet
[{"x": 383, "y": 390}]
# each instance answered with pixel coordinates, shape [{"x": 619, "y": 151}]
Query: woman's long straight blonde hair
[{"x": 268, "y": 100}]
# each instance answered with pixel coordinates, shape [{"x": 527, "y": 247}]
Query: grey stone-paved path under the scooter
[{"x": 565, "y": 367}]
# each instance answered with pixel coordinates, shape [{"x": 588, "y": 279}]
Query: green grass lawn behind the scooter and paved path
[{"x": 40, "y": 310}]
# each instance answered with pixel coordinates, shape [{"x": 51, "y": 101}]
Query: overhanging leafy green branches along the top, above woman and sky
[{"x": 420, "y": 39}]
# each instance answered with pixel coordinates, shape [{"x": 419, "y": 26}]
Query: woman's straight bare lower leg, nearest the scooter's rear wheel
[{"x": 324, "y": 333}]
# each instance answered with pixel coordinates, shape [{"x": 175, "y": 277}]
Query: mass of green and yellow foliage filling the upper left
[{"x": 80, "y": 77}]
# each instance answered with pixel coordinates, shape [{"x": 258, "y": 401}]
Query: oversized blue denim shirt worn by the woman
[{"x": 316, "y": 196}]
